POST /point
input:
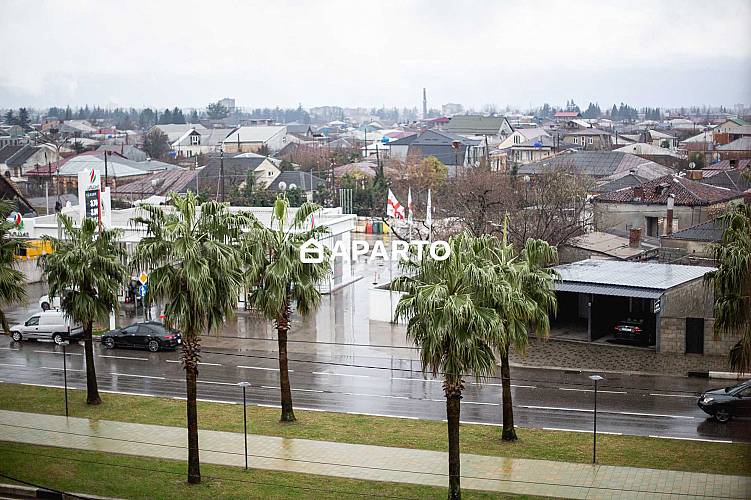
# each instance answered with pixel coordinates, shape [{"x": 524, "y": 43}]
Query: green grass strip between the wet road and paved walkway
[{"x": 632, "y": 451}]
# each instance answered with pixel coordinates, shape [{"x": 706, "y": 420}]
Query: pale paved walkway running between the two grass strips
[{"x": 532, "y": 477}]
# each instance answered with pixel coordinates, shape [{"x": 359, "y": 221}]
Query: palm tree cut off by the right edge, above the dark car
[{"x": 732, "y": 283}]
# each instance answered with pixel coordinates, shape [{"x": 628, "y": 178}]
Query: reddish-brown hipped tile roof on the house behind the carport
[{"x": 656, "y": 192}]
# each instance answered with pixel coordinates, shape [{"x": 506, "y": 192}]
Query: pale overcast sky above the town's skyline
[{"x": 357, "y": 53}]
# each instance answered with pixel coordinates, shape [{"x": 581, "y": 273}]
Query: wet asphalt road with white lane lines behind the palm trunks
[{"x": 634, "y": 405}]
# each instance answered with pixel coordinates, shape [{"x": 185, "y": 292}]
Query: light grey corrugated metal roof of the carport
[{"x": 625, "y": 279}]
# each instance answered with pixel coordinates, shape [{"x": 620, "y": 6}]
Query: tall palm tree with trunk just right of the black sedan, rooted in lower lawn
[{"x": 194, "y": 267}]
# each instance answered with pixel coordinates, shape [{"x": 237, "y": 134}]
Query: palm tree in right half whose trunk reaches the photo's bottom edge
[{"x": 454, "y": 331}]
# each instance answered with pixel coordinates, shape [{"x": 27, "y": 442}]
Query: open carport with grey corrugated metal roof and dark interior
[{"x": 594, "y": 295}]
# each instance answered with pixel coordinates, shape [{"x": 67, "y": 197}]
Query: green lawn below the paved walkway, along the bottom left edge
[{"x": 124, "y": 476}]
